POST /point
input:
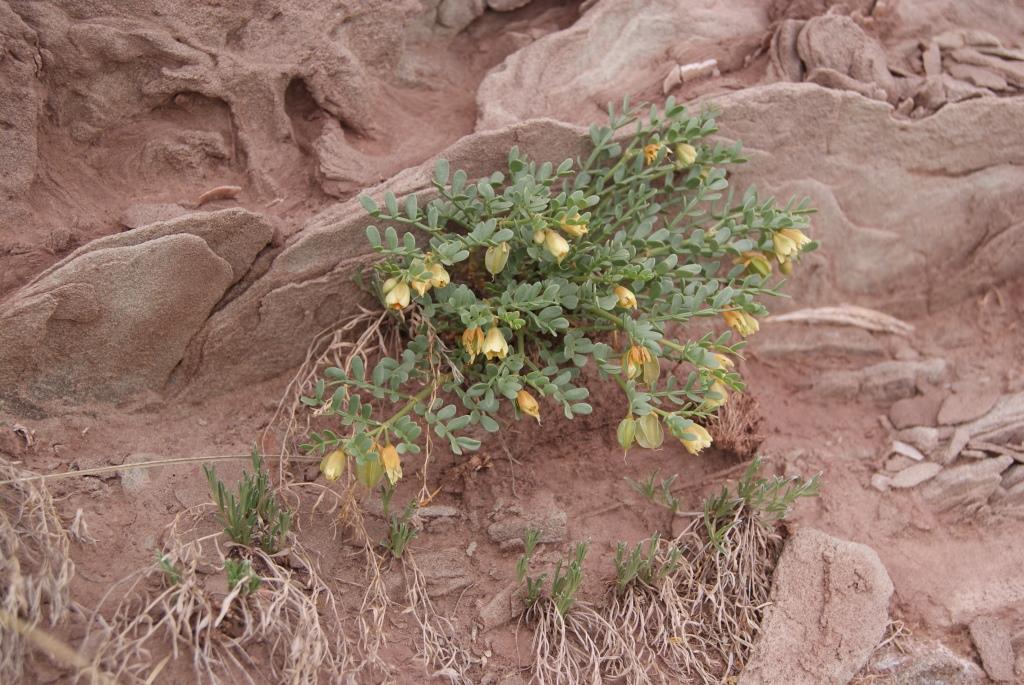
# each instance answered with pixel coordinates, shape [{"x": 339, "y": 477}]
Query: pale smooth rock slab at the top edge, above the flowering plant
[{"x": 571, "y": 74}]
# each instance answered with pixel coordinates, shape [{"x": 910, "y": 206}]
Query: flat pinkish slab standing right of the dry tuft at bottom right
[{"x": 830, "y": 610}]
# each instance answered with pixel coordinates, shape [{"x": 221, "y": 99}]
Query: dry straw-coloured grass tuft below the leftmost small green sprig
[{"x": 292, "y": 618}]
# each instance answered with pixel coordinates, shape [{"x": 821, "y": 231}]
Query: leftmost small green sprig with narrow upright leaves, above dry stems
[{"x": 253, "y": 516}]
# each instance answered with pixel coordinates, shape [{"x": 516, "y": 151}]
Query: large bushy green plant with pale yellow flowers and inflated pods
[{"x": 513, "y": 285}]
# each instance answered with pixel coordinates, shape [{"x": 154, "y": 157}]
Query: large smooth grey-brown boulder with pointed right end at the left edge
[{"x": 115, "y": 317}]
